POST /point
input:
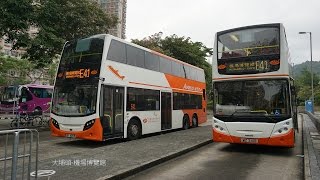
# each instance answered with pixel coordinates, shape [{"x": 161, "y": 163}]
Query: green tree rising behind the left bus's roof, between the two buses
[{"x": 181, "y": 48}]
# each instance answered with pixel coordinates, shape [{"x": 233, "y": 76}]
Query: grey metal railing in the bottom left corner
[{"x": 18, "y": 163}]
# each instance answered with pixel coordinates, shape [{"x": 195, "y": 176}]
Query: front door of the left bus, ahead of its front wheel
[{"x": 112, "y": 111}]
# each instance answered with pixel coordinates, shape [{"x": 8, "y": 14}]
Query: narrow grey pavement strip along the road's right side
[{"x": 311, "y": 138}]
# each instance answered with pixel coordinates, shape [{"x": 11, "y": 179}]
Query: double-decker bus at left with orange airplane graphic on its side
[{"x": 109, "y": 88}]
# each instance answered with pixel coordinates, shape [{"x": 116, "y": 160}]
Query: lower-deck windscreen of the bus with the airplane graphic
[{"x": 74, "y": 100}]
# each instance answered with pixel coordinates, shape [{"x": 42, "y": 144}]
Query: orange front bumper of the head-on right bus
[{"x": 285, "y": 140}]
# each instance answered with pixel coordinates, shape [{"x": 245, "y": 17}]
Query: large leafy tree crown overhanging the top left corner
[{"x": 57, "y": 21}]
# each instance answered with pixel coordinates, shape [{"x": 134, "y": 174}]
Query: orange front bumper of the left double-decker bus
[{"x": 94, "y": 133}]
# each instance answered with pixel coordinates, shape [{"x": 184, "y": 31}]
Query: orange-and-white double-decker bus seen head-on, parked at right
[{"x": 253, "y": 92}]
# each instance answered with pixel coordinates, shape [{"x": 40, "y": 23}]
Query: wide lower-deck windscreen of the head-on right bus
[{"x": 269, "y": 97}]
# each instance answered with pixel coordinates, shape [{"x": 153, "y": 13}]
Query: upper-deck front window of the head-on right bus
[{"x": 250, "y": 42}]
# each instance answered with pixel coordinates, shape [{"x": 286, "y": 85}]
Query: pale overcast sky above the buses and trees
[{"x": 201, "y": 19}]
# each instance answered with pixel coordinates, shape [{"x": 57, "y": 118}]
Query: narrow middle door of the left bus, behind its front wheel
[{"x": 166, "y": 111}]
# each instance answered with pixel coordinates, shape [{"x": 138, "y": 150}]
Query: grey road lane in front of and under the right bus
[{"x": 228, "y": 161}]
